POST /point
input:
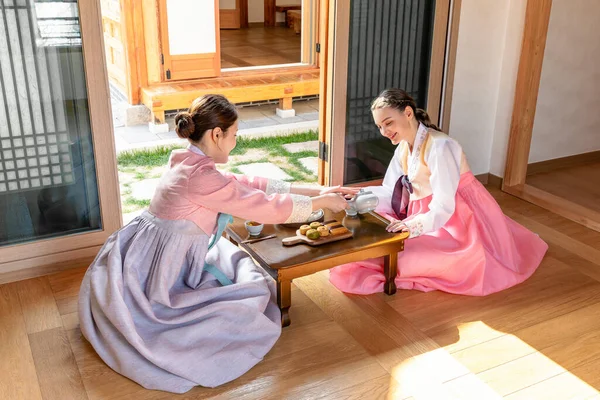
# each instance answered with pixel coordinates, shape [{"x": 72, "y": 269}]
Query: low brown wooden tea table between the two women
[{"x": 285, "y": 263}]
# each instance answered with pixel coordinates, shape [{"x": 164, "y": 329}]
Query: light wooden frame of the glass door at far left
[{"x": 40, "y": 257}]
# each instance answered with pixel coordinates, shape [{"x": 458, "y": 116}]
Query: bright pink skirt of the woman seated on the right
[{"x": 477, "y": 252}]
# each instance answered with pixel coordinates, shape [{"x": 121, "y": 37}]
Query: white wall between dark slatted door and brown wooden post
[{"x": 488, "y": 51}]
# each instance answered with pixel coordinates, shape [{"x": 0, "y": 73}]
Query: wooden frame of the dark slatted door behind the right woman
[{"x": 334, "y": 75}]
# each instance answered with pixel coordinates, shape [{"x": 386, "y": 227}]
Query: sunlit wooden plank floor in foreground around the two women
[{"x": 538, "y": 340}]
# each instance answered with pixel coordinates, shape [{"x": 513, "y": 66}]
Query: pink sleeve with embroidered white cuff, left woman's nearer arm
[{"x": 211, "y": 189}]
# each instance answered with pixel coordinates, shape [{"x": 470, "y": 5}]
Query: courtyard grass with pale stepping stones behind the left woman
[{"x": 137, "y": 165}]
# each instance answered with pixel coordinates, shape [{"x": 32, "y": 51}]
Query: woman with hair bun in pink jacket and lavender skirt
[{"x": 168, "y": 304}]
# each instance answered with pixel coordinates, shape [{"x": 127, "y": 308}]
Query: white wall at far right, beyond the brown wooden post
[{"x": 567, "y": 119}]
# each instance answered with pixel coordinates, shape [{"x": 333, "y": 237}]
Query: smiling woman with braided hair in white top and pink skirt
[{"x": 460, "y": 241}]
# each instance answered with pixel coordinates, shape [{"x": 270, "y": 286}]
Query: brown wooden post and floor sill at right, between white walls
[{"x": 537, "y": 18}]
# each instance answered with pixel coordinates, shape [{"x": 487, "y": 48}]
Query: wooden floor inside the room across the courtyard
[{"x": 259, "y": 45}]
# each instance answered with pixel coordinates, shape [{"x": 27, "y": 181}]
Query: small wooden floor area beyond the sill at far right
[{"x": 580, "y": 184}]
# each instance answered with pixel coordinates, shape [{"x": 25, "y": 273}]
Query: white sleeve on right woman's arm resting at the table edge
[{"x": 444, "y": 162}]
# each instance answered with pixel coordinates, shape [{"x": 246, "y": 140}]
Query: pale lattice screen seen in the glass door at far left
[{"x": 35, "y": 147}]
